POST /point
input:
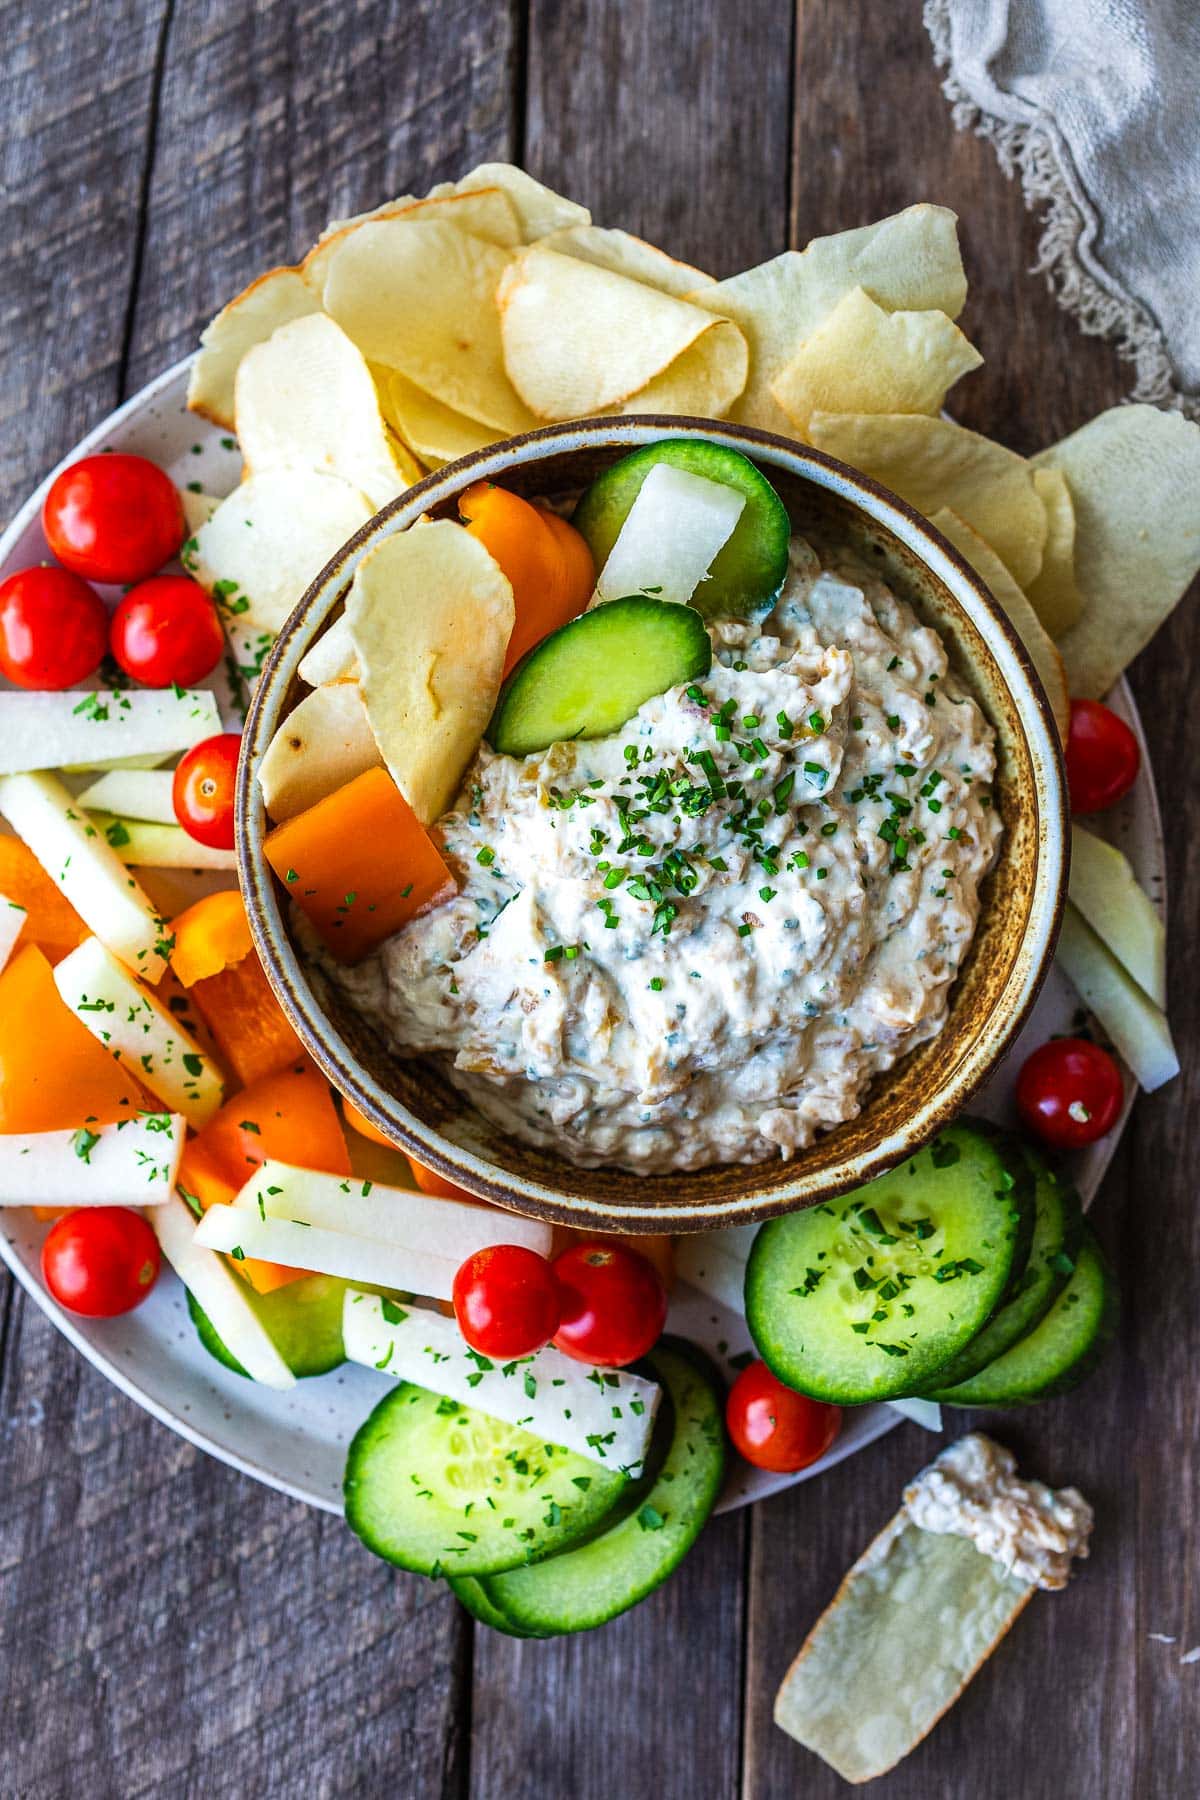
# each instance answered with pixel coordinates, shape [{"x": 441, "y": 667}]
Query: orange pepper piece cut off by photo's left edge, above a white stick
[{"x": 53, "y": 1074}]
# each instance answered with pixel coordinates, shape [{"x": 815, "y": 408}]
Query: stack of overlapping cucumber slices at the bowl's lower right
[{"x": 967, "y": 1275}]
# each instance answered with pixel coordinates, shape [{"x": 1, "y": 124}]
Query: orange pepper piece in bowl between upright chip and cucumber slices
[{"x": 546, "y": 561}]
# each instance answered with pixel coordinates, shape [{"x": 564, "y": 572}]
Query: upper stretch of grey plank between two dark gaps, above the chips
[{"x": 276, "y": 120}]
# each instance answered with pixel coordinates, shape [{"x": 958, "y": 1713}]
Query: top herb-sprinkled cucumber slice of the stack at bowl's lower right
[{"x": 868, "y": 1297}]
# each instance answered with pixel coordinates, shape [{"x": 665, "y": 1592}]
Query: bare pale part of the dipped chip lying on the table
[{"x": 915, "y": 1619}]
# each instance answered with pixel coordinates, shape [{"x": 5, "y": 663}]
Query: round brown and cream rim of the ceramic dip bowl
[{"x": 519, "y": 1192}]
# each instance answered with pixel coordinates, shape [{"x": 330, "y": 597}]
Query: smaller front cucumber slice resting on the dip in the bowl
[{"x": 586, "y": 679}]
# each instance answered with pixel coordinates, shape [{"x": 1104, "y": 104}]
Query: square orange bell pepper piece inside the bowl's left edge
[{"x": 359, "y": 863}]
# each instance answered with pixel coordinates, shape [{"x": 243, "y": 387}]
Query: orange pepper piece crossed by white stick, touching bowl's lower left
[{"x": 289, "y": 1119}]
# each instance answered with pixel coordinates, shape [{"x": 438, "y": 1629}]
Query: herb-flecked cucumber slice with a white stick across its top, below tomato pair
[{"x": 443, "y": 1489}]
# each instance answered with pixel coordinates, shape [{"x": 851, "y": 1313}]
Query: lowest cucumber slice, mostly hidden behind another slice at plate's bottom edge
[{"x": 595, "y": 1583}]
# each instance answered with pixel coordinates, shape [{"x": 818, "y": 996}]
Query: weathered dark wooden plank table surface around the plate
[{"x": 168, "y": 1626}]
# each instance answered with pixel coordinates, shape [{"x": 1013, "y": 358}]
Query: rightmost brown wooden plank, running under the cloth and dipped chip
[{"x": 1080, "y": 1700}]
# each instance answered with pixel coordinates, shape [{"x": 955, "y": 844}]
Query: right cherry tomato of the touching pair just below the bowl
[{"x": 614, "y": 1304}]
